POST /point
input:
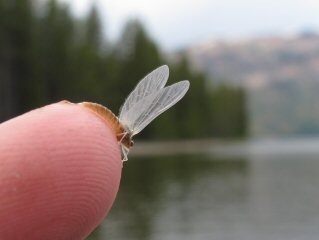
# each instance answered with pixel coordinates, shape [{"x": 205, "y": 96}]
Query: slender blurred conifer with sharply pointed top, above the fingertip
[{"x": 88, "y": 70}]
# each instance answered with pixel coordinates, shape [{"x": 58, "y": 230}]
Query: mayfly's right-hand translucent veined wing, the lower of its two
[{"x": 148, "y": 108}]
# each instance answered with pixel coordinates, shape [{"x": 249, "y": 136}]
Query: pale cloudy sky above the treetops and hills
[{"x": 176, "y": 24}]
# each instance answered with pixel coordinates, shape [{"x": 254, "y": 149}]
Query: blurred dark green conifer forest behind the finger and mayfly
[{"x": 48, "y": 55}]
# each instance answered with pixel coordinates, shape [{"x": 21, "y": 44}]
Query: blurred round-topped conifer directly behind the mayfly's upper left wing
[{"x": 137, "y": 54}]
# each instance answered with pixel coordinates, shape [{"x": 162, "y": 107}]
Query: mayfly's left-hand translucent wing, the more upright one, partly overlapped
[{"x": 150, "y": 84}]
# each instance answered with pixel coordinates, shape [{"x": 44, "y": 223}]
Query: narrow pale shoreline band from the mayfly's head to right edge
[{"x": 229, "y": 147}]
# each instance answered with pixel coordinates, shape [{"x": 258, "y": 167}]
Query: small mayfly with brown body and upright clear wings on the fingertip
[{"x": 148, "y": 100}]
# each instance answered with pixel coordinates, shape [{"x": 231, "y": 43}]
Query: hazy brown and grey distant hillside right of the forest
[{"x": 281, "y": 75}]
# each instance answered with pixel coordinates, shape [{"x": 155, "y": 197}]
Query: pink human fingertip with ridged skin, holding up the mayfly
[{"x": 60, "y": 169}]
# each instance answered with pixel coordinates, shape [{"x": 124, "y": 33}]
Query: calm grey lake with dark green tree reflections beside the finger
[{"x": 265, "y": 190}]
